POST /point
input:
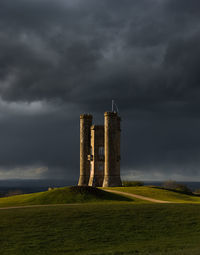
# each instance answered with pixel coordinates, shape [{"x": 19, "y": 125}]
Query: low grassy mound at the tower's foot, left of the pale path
[{"x": 62, "y": 196}]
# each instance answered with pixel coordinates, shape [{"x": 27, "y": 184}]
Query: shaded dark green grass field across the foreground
[{"x": 101, "y": 229}]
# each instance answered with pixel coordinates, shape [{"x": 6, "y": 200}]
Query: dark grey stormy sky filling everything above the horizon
[{"x": 60, "y": 58}]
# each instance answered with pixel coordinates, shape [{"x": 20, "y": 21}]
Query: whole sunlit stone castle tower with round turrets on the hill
[{"x": 100, "y": 151}]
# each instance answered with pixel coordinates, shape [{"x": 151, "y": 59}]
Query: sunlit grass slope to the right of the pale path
[{"x": 161, "y": 194}]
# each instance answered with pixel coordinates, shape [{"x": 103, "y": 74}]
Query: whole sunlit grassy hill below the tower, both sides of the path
[{"x": 69, "y": 195}]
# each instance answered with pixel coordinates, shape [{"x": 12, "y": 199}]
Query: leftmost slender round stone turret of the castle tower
[{"x": 85, "y": 125}]
